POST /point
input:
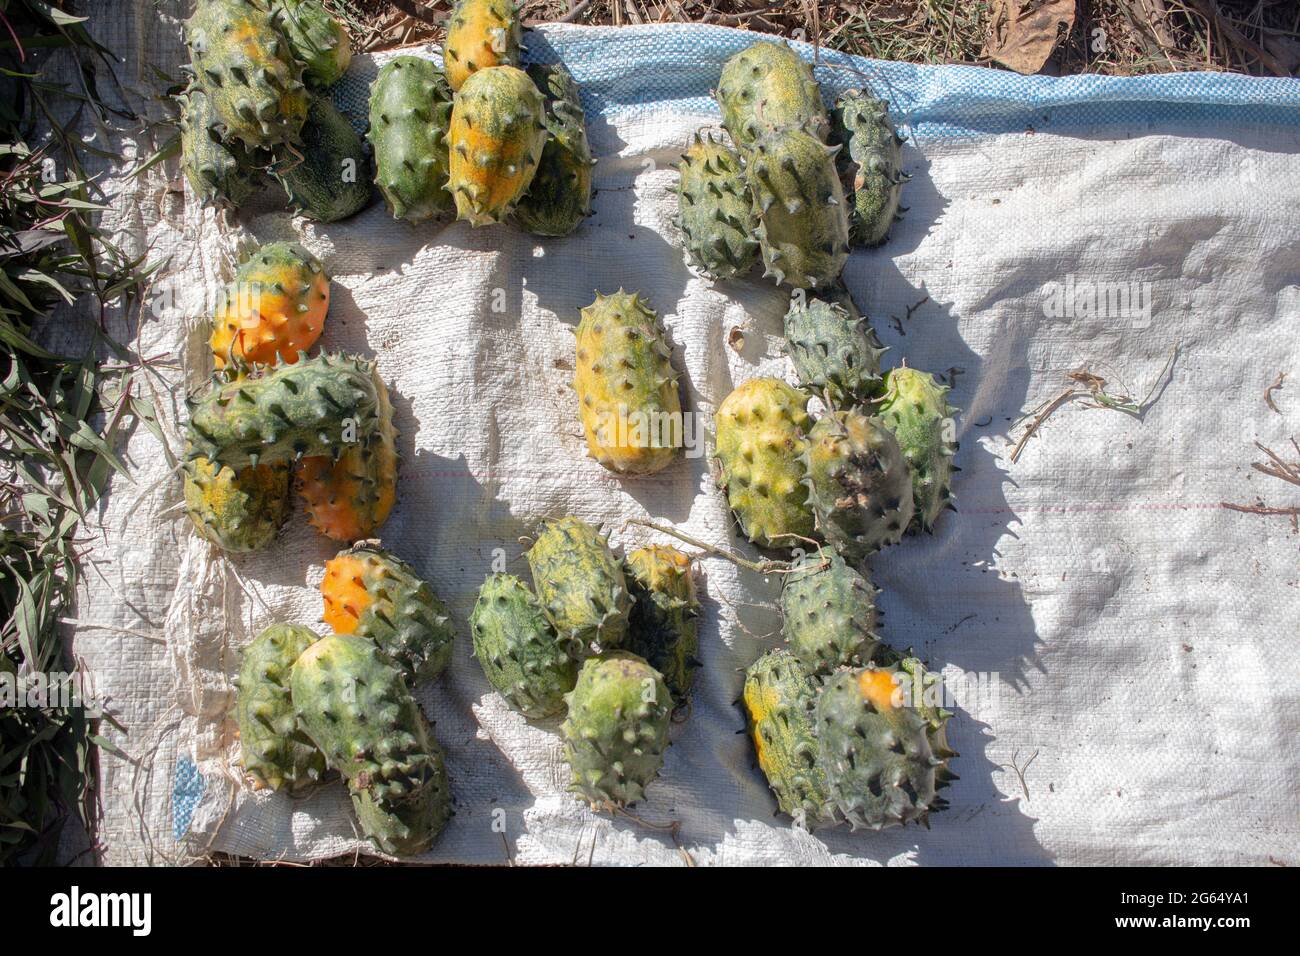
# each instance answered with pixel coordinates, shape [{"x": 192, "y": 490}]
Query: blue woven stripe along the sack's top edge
[{"x": 643, "y": 70}]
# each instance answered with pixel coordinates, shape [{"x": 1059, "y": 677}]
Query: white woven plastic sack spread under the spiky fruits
[{"x": 1129, "y": 643}]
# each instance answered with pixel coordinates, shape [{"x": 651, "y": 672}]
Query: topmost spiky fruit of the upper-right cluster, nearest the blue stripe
[{"x": 769, "y": 86}]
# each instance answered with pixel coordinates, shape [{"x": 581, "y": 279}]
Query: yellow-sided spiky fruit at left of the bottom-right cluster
[{"x": 779, "y": 700}]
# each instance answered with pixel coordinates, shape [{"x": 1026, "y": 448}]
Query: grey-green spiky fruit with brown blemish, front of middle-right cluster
[{"x": 859, "y": 485}]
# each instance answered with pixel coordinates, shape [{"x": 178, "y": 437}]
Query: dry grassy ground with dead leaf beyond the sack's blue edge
[{"x": 1052, "y": 37}]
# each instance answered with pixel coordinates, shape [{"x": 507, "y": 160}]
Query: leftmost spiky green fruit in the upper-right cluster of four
[{"x": 717, "y": 210}]
